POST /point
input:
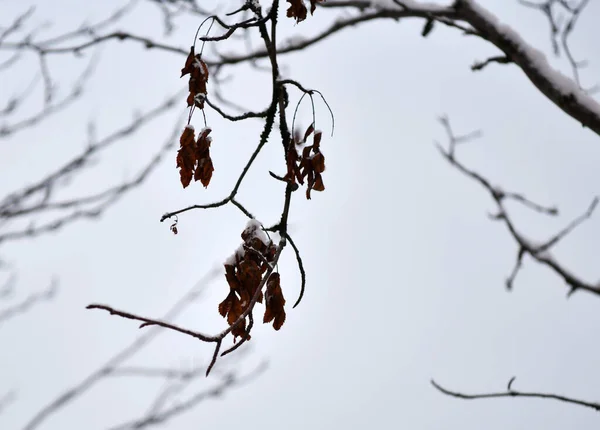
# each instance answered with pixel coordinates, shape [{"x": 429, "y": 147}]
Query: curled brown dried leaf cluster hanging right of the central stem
[{"x": 309, "y": 165}]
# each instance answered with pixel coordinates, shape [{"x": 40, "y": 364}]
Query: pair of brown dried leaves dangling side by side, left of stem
[{"x": 193, "y": 157}]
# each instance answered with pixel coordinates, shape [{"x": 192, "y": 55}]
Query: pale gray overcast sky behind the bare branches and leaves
[{"x": 405, "y": 270}]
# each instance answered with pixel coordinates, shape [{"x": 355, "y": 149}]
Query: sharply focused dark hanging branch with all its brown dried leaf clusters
[{"x": 251, "y": 271}]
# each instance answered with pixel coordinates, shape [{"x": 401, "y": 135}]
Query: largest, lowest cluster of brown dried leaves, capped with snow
[{"x": 244, "y": 272}]
